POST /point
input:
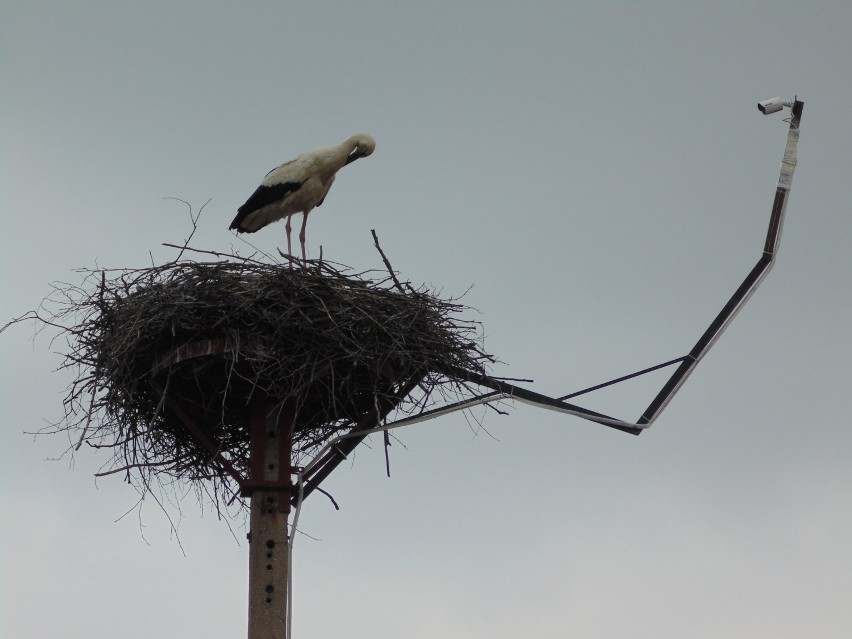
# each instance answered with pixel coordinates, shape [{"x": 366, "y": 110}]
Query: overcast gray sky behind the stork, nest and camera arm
[{"x": 597, "y": 171}]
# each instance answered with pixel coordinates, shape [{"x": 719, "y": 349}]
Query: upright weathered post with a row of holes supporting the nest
[{"x": 270, "y": 489}]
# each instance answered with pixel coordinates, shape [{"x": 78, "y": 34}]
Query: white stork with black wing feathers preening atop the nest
[{"x": 298, "y": 186}]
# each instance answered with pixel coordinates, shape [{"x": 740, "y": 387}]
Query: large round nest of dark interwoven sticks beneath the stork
[{"x": 210, "y": 337}]
